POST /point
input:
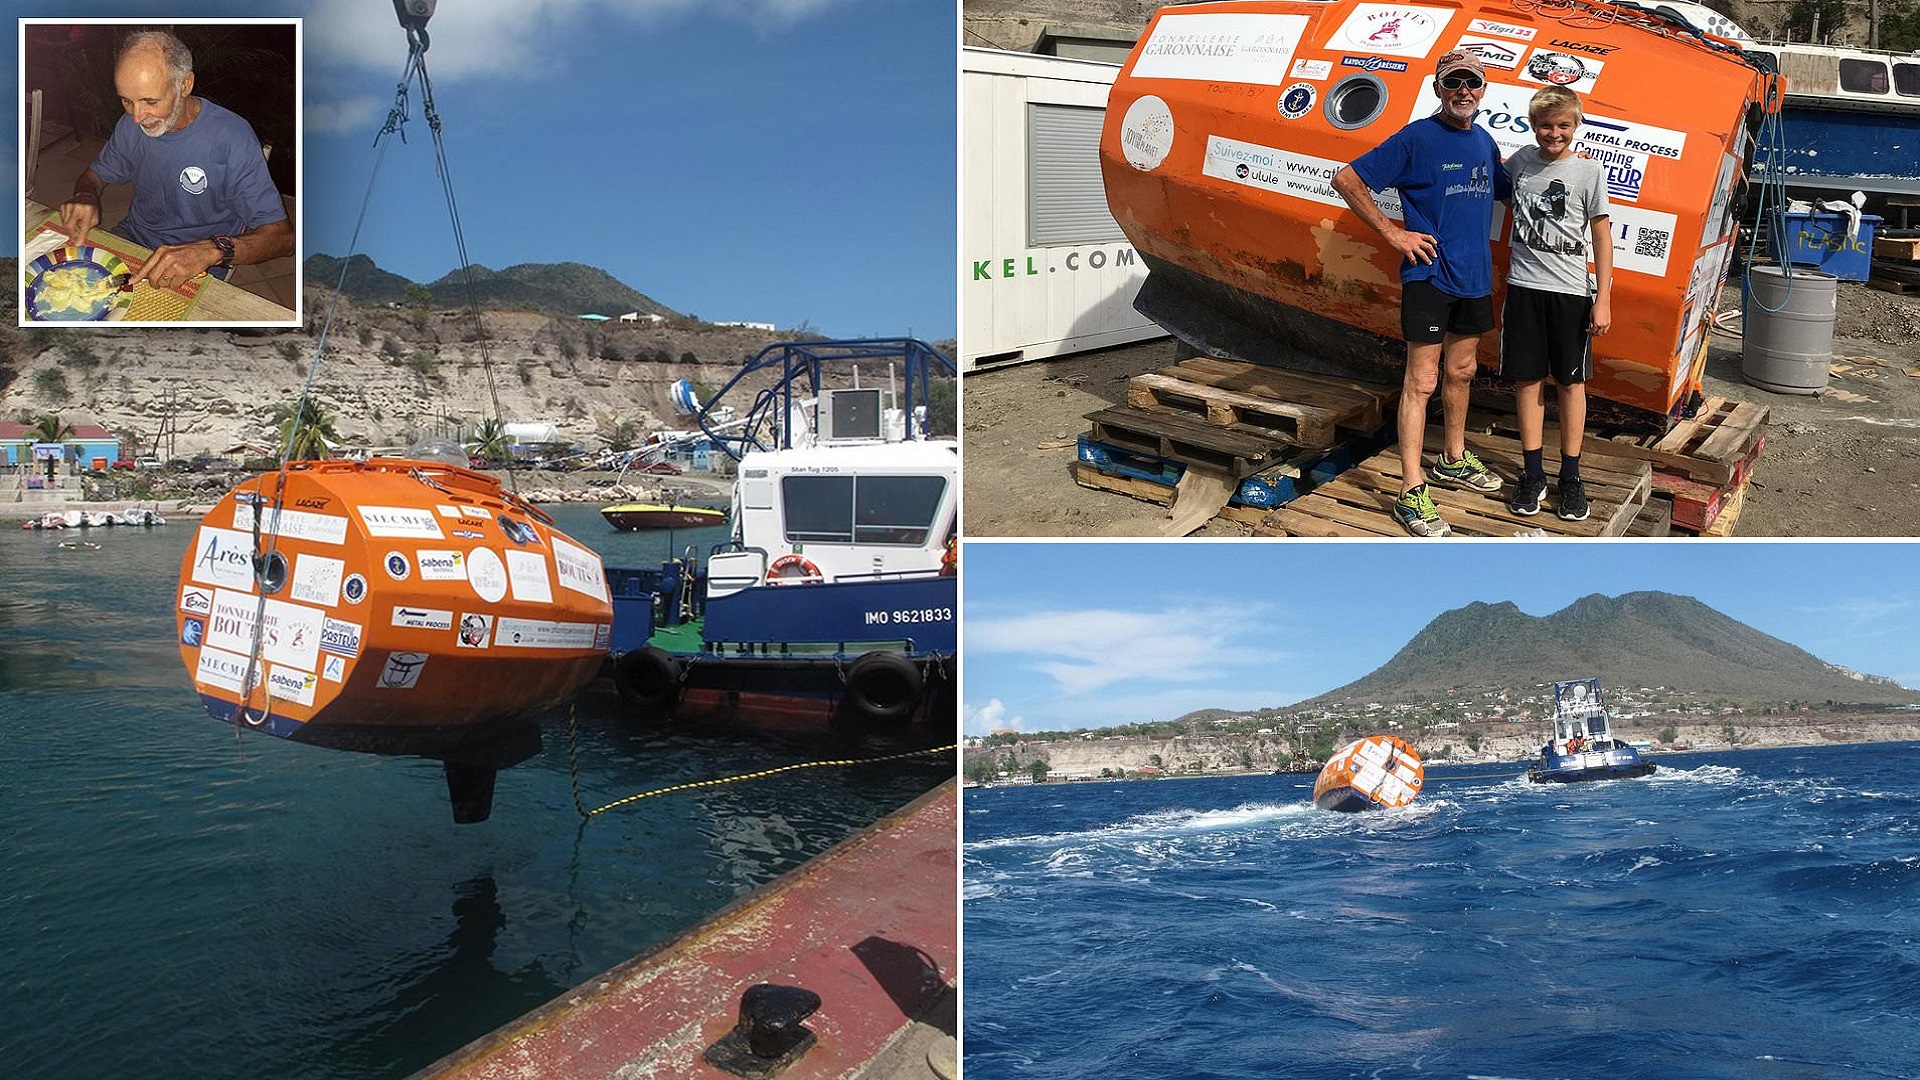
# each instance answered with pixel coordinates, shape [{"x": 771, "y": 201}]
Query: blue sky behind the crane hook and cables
[{"x": 763, "y": 160}]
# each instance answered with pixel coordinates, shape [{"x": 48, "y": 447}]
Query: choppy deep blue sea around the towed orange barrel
[{"x": 1735, "y": 916}]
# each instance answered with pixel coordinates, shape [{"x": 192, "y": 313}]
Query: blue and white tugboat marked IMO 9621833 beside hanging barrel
[{"x": 836, "y": 595}]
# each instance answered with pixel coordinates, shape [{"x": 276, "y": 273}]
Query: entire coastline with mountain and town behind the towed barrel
[{"x": 1677, "y": 674}]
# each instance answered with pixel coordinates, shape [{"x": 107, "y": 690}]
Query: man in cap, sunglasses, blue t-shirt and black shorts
[{"x": 1449, "y": 178}]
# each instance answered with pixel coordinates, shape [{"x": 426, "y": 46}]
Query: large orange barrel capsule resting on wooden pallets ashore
[{"x": 1228, "y": 124}]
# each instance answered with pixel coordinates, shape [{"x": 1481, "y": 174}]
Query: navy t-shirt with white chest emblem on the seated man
[{"x": 206, "y": 180}]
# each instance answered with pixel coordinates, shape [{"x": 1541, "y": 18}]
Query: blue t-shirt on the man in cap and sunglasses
[{"x": 1449, "y": 182}]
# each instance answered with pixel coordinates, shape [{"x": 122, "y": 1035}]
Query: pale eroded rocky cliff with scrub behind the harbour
[{"x": 389, "y": 376}]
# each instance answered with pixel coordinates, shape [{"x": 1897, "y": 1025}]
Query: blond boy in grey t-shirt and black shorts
[{"x": 1554, "y": 308}]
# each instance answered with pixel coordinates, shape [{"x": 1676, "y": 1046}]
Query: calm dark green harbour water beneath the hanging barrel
[{"x": 178, "y": 900}]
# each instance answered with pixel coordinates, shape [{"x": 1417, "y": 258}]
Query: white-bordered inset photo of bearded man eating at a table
[{"x": 160, "y": 170}]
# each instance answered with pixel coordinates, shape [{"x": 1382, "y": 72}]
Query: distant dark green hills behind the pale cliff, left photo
[{"x": 558, "y": 289}]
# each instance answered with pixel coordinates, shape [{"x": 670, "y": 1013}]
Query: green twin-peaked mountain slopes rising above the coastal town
[{"x": 1641, "y": 639}]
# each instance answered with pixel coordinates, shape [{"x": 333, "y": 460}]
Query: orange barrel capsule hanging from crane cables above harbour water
[{"x": 389, "y": 606}]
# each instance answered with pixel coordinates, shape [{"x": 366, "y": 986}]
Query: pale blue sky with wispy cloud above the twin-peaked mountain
[{"x": 1068, "y": 637}]
